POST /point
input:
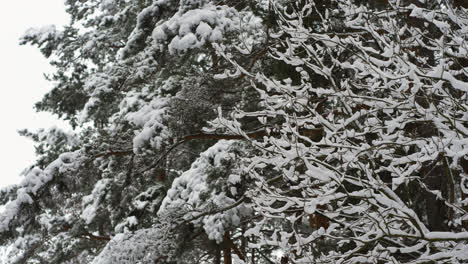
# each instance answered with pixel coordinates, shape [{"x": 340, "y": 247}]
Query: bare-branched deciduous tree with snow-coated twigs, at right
[{"x": 365, "y": 156}]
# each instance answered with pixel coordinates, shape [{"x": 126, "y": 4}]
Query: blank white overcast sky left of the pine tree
[{"x": 22, "y": 81}]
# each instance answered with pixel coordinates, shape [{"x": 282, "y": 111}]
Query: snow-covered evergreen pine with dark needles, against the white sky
[{"x": 137, "y": 79}]
